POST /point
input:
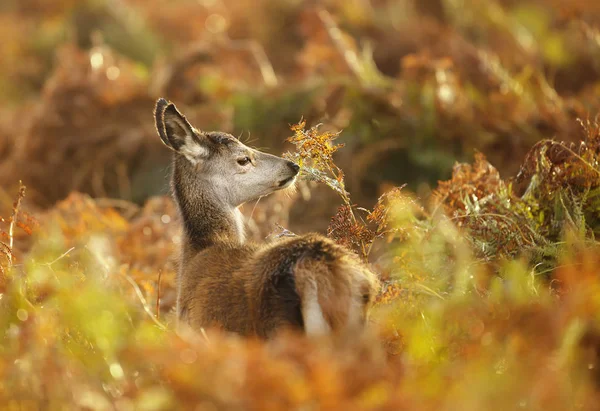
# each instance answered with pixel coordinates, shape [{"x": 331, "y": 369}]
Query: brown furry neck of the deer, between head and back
[{"x": 206, "y": 219}]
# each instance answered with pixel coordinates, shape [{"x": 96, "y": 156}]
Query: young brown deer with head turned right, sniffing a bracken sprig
[{"x": 306, "y": 282}]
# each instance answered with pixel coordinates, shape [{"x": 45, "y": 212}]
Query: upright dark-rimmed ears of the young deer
[{"x": 177, "y": 133}]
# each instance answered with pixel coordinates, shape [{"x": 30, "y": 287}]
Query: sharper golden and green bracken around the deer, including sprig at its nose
[{"x": 490, "y": 301}]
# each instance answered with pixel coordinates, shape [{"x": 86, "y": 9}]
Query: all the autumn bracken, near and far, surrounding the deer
[{"x": 490, "y": 260}]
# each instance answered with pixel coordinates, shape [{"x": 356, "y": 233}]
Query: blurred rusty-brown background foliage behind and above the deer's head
[{"x": 415, "y": 86}]
